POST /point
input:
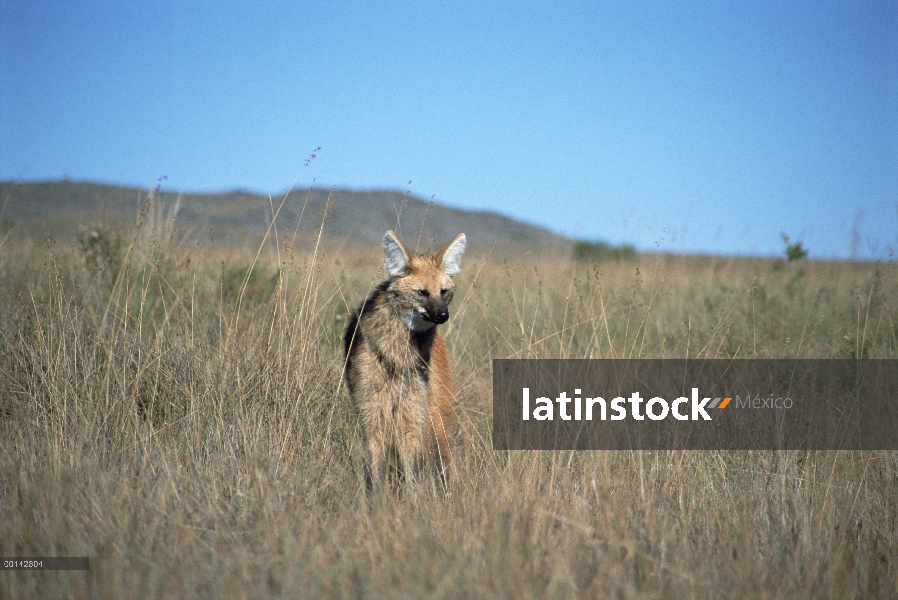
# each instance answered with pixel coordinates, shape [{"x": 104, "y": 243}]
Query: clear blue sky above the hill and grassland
[{"x": 708, "y": 127}]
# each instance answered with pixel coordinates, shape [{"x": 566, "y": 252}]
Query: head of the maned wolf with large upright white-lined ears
[{"x": 421, "y": 286}]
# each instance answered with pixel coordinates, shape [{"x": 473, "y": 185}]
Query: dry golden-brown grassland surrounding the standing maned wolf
[{"x": 176, "y": 413}]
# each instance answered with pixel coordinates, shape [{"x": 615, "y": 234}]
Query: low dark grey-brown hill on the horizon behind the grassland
[{"x": 62, "y": 207}]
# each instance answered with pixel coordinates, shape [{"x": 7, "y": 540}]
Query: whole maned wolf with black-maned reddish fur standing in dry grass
[{"x": 397, "y": 367}]
